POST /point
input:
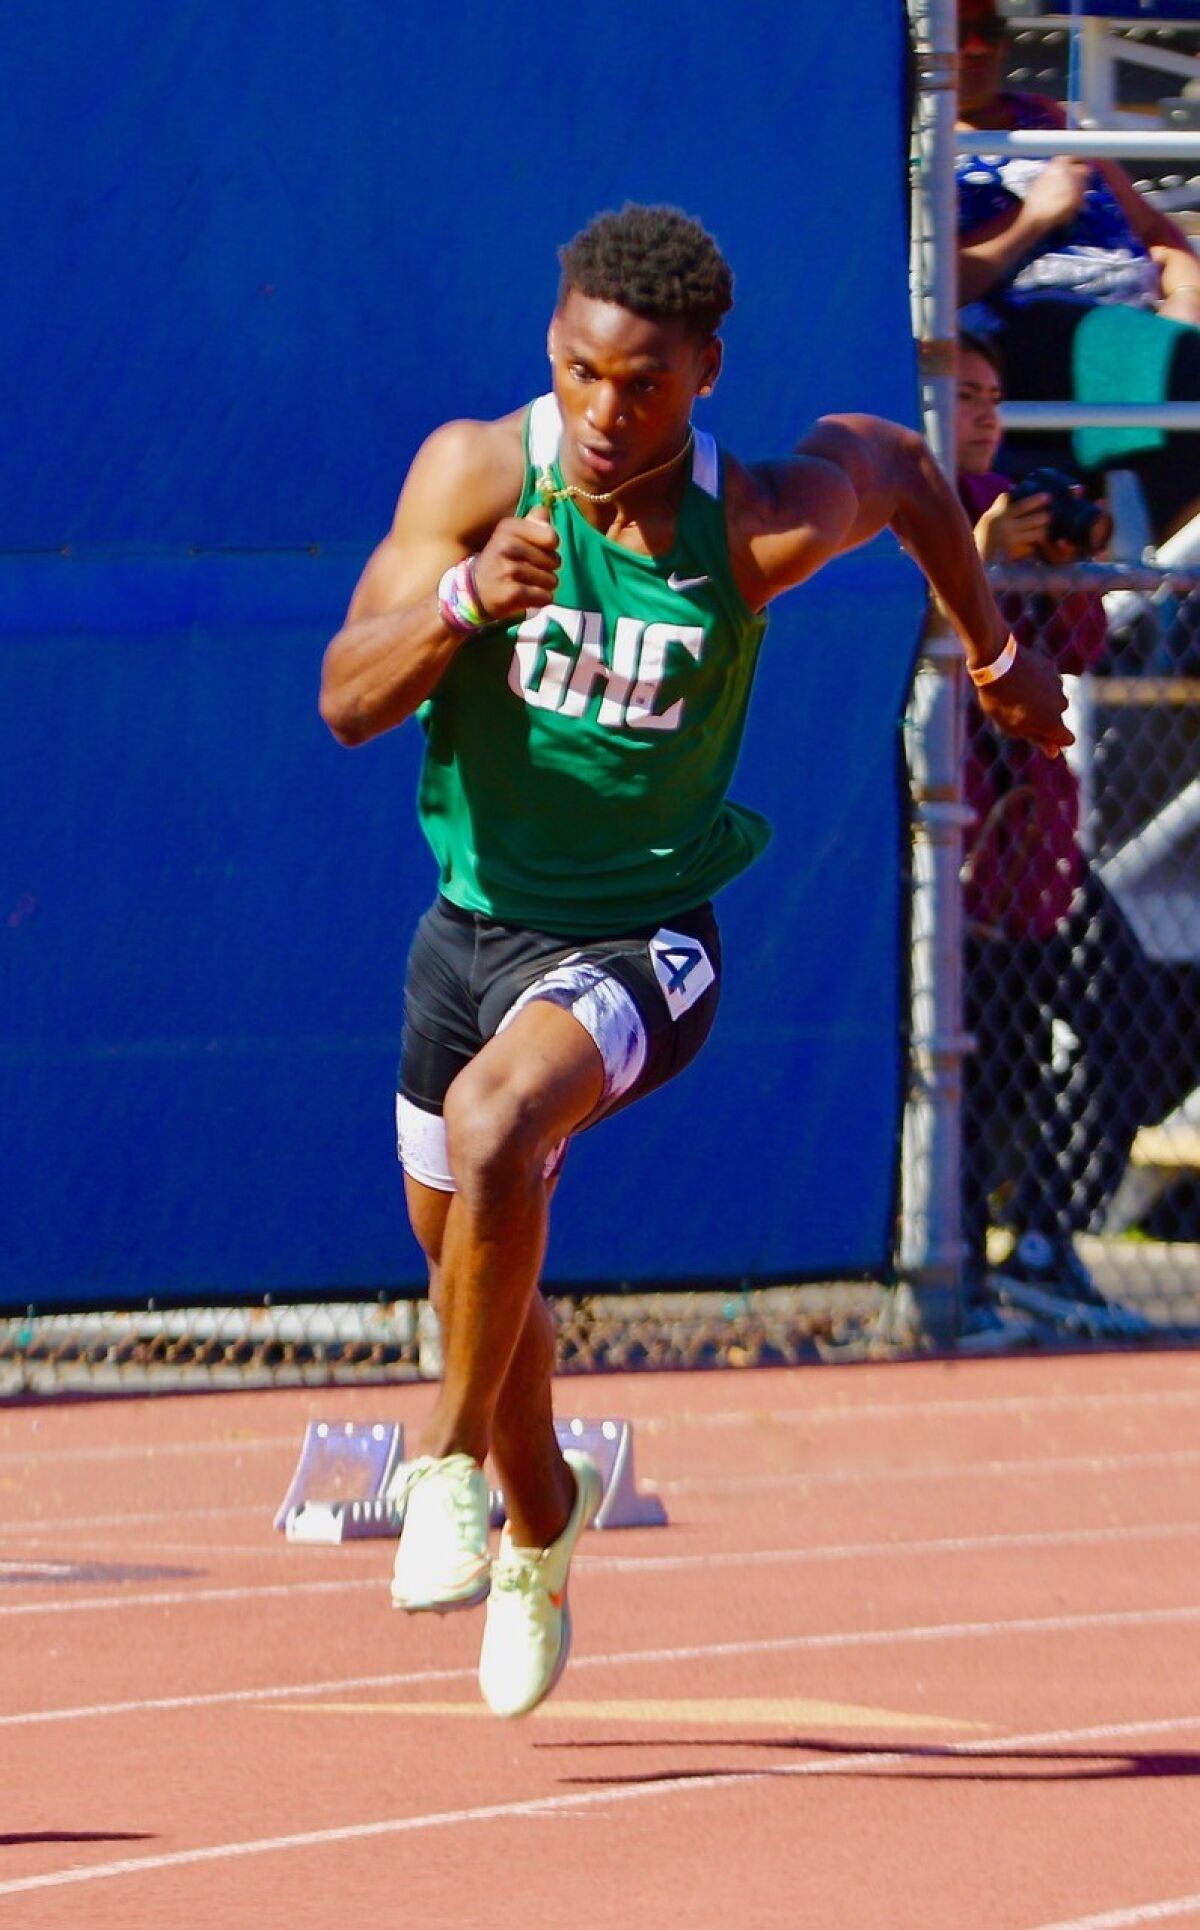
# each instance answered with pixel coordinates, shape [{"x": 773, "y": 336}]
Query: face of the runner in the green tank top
[{"x": 626, "y": 387}]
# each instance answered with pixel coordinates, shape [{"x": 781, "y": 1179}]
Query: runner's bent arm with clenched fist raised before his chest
[{"x": 458, "y": 501}]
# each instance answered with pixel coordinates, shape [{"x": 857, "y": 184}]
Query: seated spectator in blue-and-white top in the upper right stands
[{"x": 1089, "y": 292}]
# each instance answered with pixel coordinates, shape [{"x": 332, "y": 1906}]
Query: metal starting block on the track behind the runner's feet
[{"x": 346, "y": 1470}]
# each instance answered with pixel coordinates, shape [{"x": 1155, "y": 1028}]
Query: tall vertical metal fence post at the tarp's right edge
[{"x": 931, "y": 1246}]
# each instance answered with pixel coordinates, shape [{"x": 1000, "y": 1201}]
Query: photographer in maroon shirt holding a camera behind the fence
[{"x": 1056, "y": 979}]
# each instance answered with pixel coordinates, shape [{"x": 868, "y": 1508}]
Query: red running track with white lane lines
[{"x": 917, "y": 1653}]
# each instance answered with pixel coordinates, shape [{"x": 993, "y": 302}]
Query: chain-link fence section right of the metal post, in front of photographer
[{"x": 1081, "y": 1120}]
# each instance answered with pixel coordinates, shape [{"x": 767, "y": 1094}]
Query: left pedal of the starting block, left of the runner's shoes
[{"x": 341, "y": 1485}]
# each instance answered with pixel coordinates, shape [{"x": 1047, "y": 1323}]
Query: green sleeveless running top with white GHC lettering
[{"x": 578, "y": 761}]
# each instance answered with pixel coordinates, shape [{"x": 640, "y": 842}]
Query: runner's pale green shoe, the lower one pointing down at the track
[{"x": 528, "y": 1636}]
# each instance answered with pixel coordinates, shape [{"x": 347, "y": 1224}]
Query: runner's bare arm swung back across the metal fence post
[{"x": 852, "y": 478}]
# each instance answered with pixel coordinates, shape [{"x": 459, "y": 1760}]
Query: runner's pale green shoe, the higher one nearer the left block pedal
[{"x": 443, "y": 1560}]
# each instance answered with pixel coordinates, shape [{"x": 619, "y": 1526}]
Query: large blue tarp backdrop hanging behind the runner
[{"x": 256, "y": 258}]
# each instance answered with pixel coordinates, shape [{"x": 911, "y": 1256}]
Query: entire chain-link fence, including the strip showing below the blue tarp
[{"x": 1081, "y": 1099}]
